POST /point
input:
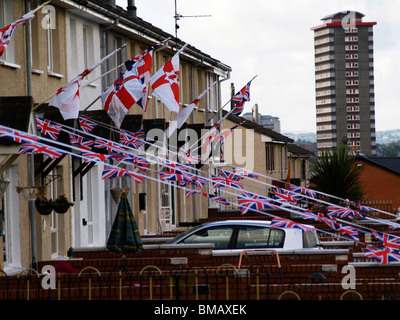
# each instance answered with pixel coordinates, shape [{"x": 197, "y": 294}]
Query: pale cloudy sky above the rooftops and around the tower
[{"x": 273, "y": 41}]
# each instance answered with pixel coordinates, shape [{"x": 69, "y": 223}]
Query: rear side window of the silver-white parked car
[{"x": 250, "y": 237}]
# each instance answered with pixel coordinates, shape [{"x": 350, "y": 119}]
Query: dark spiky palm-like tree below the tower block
[{"x": 336, "y": 174}]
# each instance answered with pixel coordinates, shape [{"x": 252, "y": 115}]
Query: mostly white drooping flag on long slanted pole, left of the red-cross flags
[{"x": 67, "y": 98}]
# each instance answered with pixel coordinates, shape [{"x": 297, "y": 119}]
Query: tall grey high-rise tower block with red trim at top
[{"x": 344, "y": 83}]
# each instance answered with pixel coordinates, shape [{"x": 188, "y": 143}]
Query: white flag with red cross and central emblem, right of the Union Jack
[{"x": 165, "y": 83}]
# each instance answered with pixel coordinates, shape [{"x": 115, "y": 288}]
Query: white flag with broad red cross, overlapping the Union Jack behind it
[{"x": 122, "y": 94}]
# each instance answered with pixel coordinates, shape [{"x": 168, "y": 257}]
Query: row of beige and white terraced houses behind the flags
[{"x": 63, "y": 39}]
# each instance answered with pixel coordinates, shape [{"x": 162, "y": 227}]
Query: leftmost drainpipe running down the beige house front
[{"x": 31, "y": 159}]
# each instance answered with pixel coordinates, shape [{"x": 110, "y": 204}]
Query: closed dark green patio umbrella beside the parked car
[{"x": 124, "y": 236}]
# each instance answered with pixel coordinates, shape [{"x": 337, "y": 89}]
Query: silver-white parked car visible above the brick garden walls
[{"x": 248, "y": 234}]
